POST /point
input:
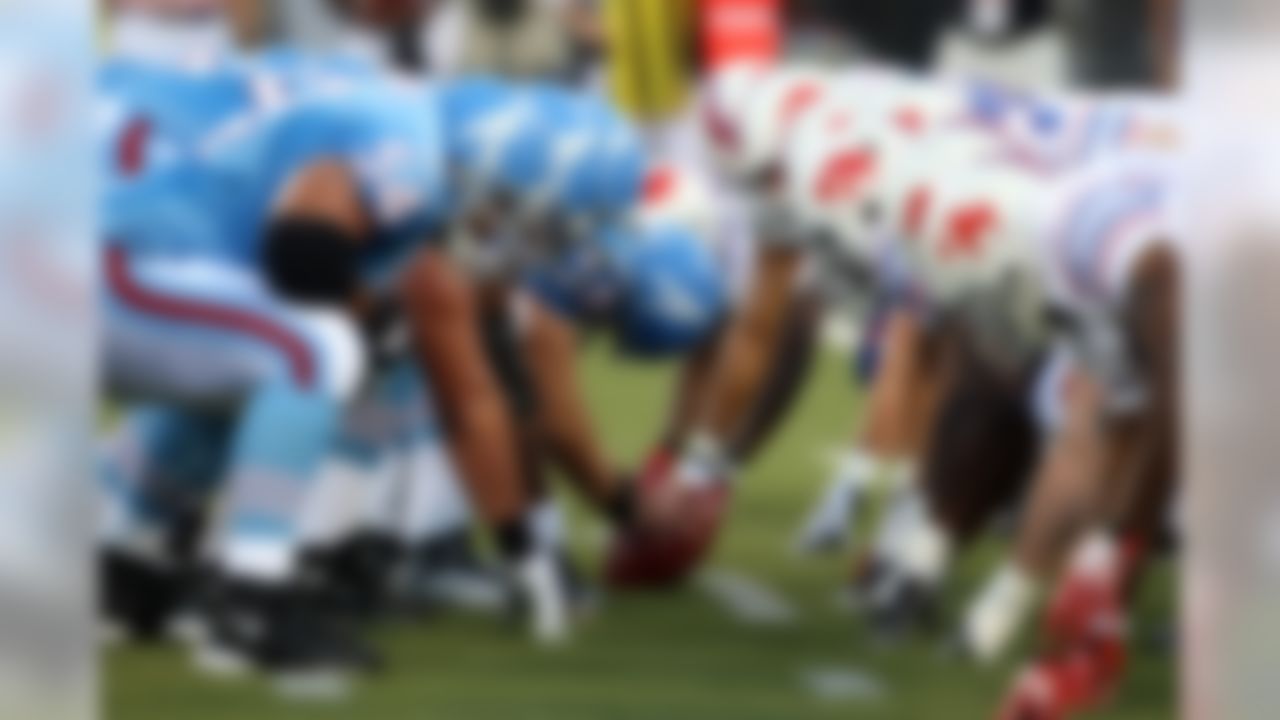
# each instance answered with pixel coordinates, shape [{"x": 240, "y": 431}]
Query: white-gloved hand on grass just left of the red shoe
[{"x": 1000, "y": 612}]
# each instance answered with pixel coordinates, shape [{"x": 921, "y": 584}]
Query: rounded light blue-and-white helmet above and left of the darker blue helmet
[{"x": 551, "y": 165}]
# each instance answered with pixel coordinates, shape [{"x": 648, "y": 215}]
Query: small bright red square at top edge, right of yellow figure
[{"x": 740, "y": 31}]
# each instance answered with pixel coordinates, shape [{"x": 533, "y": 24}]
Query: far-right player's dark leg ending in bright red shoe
[{"x": 1089, "y": 617}]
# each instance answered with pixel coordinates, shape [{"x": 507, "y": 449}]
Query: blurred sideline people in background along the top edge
[{"x": 648, "y": 54}]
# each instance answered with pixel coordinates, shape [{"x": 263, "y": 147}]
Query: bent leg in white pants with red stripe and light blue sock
[{"x": 209, "y": 336}]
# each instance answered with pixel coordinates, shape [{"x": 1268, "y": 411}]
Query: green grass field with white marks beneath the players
[{"x": 669, "y": 657}]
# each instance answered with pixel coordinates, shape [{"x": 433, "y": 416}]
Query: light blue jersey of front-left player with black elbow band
[{"x": 221, "y": 202}]
